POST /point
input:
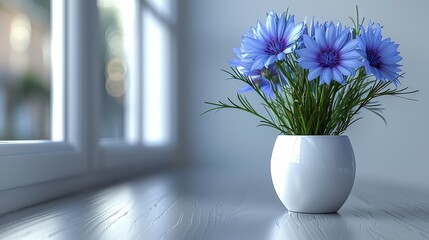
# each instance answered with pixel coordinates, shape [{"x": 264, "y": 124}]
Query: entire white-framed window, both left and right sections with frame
[{"x": 101, "y": 106}]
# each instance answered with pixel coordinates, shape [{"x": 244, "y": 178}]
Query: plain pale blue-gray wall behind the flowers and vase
[{"x": 209, "y": 29}]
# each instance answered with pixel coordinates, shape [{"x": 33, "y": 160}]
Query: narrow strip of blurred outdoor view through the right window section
[{"x": 114, "y": 84}]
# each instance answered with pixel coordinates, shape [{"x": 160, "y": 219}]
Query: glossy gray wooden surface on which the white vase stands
[{"x": 209, "y": 205}]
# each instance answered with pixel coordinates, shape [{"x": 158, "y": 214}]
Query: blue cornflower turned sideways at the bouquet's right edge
[{"x": 380, "y": 57}]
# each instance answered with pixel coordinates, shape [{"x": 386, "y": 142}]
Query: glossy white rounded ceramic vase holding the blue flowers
[{"x": 313, "y": 174}]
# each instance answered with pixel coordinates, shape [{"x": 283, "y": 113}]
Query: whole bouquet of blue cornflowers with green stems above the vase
[{"x": 314, "y": 79}]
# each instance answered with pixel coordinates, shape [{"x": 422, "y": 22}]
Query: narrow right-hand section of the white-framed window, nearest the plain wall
[{"x": 137, "y": 84}]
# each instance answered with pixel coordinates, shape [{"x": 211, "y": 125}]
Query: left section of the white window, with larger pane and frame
[{"x": 61, "y": 153}]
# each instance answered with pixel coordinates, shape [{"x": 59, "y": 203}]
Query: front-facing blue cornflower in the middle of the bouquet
[{"x": 331, "y": 54}]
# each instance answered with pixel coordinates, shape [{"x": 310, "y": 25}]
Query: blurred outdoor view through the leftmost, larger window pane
[{"x": 24, "y": 69}]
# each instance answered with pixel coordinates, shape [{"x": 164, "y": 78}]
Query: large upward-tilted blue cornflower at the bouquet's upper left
[{"x": 271, "y": 42}]
